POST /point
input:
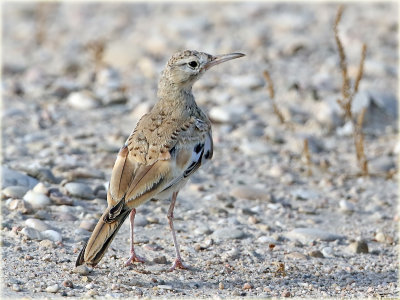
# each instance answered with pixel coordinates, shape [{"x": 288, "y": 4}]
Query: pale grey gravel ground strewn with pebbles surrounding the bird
[{"x": 262, "y": 219}]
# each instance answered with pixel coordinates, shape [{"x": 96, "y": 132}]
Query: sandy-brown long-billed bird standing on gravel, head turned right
[{"x": 167, "y": 146}]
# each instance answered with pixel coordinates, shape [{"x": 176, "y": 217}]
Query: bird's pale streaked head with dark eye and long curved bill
[{"x": 185, "y": 67}]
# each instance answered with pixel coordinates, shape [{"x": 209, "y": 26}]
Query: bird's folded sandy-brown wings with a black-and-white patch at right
[{"x": 134, "y": 182}]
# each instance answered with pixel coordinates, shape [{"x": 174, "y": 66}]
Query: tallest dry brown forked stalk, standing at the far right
[{"x": 347, "y": 96}]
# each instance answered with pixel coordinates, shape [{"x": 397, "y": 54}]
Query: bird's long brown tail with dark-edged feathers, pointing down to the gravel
[{"x": 101, "y": 238}]
